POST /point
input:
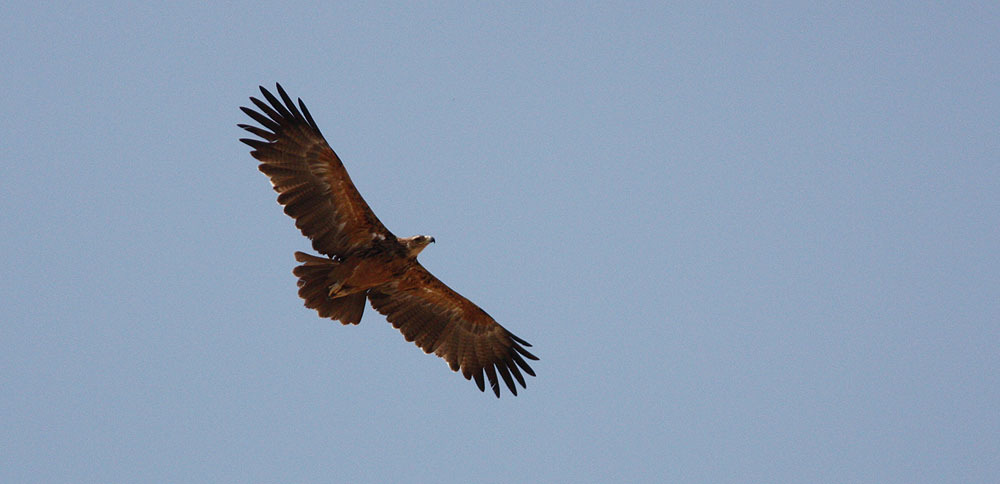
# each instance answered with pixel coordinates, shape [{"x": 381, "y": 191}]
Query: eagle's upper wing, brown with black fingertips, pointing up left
[{"x": 310, "y": 179}]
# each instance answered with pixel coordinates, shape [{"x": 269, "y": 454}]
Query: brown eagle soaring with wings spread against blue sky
[{"x": 364, "y": 260}]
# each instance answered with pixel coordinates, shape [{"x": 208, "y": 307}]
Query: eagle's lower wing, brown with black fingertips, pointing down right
[{"x": 441, "y": 321}]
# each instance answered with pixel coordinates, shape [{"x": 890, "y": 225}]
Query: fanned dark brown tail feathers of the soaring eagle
[{"x": 316, "y": 276}]
